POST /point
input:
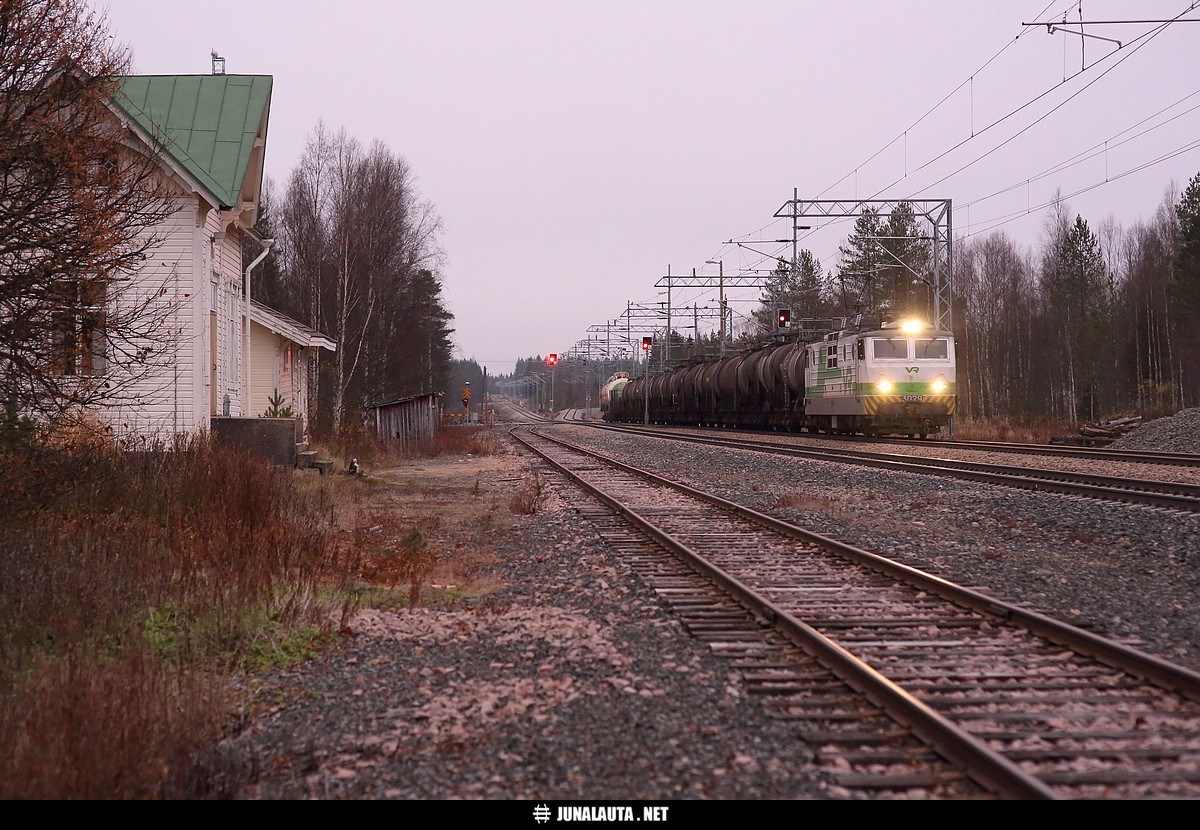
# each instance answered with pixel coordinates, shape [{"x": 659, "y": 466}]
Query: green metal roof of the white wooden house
[{"x": 207, "y": 123}]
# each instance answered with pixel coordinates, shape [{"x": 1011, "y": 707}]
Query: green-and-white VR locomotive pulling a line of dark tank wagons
[{"x": 873, "y": 375}]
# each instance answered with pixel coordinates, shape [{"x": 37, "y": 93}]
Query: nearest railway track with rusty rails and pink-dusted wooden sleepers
[{"x": 907, "y": 683}]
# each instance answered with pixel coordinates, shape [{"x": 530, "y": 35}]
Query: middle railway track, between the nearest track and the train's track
[{"x": 1174, "y": 496}]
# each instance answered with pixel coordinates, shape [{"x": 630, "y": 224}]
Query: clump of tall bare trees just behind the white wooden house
[{"x": 362, "y": 246}]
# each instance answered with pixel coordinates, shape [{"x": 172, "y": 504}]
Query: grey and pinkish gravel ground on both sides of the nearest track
[{"x": 574, "y": 683}]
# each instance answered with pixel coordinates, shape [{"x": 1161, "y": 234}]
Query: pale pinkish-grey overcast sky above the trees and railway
[{"x": 577, "y": 151}]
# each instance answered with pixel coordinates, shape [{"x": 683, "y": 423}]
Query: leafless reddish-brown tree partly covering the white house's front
[{"x": 79, "y": 216}]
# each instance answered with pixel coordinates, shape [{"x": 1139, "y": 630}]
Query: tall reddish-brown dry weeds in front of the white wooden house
[{"x": 136, "y": 586}]
